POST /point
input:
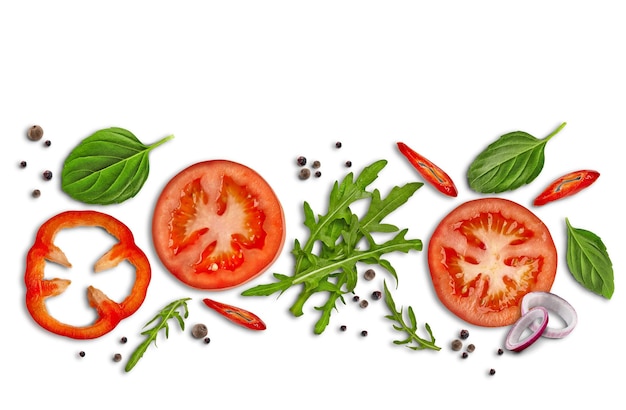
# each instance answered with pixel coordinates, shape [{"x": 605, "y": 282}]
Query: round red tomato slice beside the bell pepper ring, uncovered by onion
[{"x": 218, "y": 224}]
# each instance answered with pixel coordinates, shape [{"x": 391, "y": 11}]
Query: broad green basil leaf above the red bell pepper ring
[{"x": 108, "y": 167}]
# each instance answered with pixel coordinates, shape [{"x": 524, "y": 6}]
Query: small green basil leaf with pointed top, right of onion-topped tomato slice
[{"x": 589, "y": 262}]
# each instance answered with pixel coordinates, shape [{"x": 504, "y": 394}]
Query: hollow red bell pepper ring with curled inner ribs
[{"x": 110, "y": 313}]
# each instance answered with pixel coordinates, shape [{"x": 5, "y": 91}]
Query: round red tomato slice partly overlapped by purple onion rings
[{"x": 485, "y": 255}]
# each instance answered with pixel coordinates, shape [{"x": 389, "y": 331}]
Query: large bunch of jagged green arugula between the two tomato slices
[{"x": 344, "y": 240}]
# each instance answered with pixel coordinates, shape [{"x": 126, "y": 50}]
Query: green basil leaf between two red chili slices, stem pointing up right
[{"x": 511, "y": 161}]
